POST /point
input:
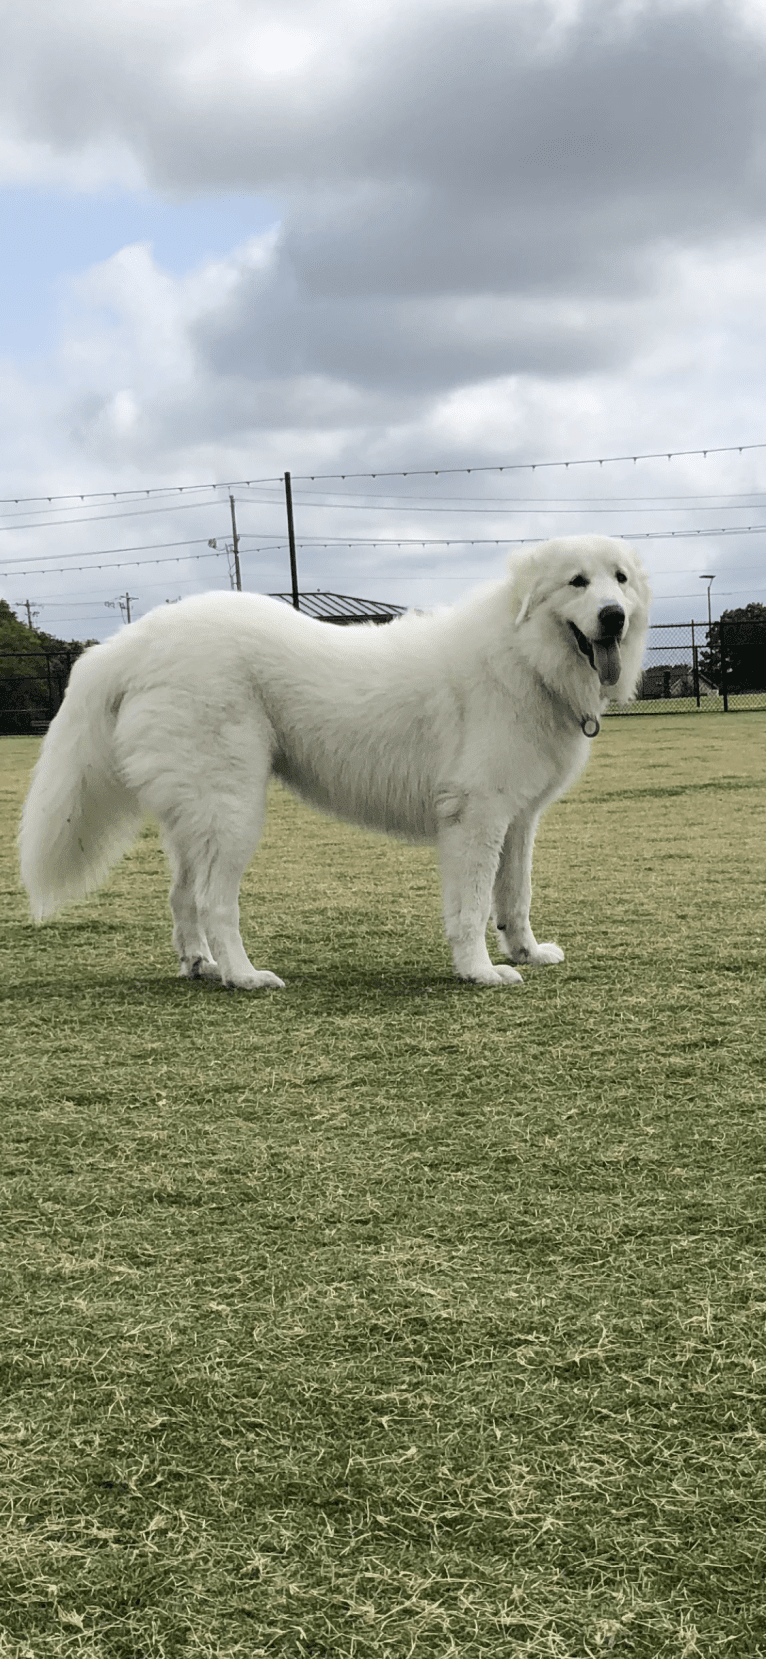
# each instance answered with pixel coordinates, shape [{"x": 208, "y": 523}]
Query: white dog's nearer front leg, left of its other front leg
[{"x": 470, "y": 847}]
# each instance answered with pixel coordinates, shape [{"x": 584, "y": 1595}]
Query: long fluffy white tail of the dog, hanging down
[{"x": 79, "y": 817}]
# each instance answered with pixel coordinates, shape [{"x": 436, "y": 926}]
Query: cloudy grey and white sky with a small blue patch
[{"x": 379, "y": 240}]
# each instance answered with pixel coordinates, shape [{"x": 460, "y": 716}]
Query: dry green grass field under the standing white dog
[{"x": 387, "y": 1316}]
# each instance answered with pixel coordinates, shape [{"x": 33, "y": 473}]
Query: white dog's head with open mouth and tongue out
[{"x": 581, "y": 608}]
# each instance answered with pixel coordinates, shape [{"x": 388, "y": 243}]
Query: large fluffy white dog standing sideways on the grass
[{"x": 457, "y": 727}]
